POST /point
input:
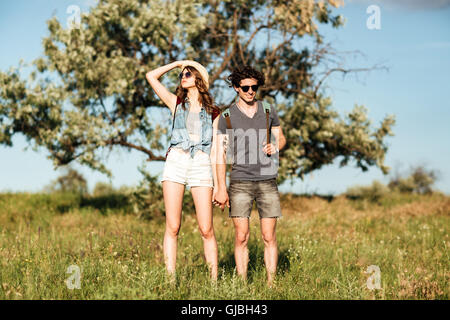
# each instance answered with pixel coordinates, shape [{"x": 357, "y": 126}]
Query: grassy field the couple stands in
[{"x": 325, "y": 248}]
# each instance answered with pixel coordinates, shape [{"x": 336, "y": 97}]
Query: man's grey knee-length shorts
[{"x": 264, "y": 192}]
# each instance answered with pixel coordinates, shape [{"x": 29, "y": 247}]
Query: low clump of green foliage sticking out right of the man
[{"x": 318, "y": 136}]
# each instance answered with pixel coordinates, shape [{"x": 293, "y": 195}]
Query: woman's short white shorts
[{"x": 181, "y": 168}]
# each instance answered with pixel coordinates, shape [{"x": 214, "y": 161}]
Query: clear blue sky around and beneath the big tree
[{"x": 413, "y": 42}]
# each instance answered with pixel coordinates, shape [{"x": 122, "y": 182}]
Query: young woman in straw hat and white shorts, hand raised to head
[{"x": 188, "y": 160}]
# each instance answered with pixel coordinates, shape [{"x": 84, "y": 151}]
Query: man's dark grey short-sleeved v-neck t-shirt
[{"x": 246, "y": 142}]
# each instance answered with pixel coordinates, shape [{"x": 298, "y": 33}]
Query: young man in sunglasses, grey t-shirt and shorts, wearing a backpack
[{"x": 244, "y": 133}]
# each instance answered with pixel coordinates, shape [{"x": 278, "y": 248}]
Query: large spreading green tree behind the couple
[{"x": 100, "y": 98}]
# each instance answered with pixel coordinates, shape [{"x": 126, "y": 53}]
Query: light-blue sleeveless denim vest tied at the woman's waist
[{"x": 180, "y": 136}]
